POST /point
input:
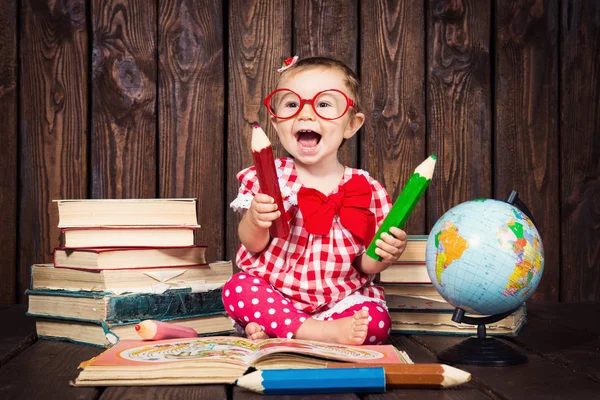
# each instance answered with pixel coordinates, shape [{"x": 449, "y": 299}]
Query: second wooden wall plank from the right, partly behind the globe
[{"x": 526, "y": 119}]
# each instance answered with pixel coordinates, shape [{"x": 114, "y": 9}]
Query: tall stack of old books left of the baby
[{"x": 124, "y": 261}]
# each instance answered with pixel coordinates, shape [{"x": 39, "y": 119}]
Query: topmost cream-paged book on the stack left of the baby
[{"x": 132, "y": 212}]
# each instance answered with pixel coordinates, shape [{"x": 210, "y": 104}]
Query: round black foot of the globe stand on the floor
[{"x": 486, "y": 352}]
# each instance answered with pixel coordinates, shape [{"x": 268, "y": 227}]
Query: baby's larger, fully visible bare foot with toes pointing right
[{"x": 349, "y": 330}]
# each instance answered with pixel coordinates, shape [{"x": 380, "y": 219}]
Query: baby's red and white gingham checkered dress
[{"x": 315, "y": 272}]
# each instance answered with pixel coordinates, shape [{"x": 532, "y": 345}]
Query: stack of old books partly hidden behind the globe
[{"x": 415, "y": 305}]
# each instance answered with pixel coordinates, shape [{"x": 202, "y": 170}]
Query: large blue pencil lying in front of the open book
[{"x": 315, "y": 381}]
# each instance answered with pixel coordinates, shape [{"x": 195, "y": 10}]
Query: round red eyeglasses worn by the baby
[{"x": 328, "y": 104}]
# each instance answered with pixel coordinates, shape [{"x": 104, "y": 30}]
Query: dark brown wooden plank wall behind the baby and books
[{"x": 156, "y": 98}]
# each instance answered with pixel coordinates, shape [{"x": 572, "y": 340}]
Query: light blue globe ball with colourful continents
[{"x": 485, "y": 256}]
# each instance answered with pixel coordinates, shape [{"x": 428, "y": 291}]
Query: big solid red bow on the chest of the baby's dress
[{"x": 351, "y": 202}]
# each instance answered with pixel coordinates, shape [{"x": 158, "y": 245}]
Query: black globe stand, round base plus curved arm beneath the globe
[{"x": 482, "y": 350}]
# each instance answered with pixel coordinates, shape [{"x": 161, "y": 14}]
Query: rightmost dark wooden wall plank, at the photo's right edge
[{"x": 579, "y": 145}]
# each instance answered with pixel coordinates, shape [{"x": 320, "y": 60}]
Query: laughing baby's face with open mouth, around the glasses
[{"x": 312, "y": 140}]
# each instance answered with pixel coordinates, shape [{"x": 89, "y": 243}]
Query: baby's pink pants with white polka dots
[{"x": 248, "y": 298}]
